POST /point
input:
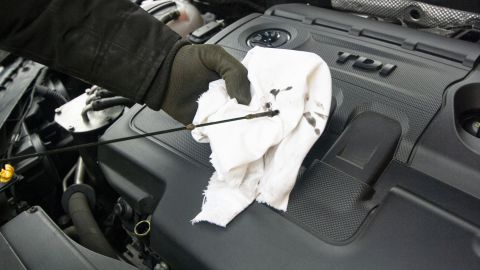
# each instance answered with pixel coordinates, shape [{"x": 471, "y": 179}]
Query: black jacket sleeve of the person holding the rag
[{"x": 111, "y": 43}]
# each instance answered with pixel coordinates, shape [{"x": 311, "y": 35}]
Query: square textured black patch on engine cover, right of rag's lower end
[{"x": 329, "y": 203}]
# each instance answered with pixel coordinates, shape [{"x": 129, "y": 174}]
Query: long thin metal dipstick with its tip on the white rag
[{"x": 94, "y": 144}]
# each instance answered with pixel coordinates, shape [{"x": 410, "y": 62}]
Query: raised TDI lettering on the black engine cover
[{"x": 367, "y": 64}]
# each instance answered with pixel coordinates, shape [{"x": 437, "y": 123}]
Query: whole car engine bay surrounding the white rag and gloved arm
[{"x": 392, "y": 183}]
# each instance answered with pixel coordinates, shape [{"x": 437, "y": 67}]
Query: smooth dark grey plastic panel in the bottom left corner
[{"x": 33, "y": 241}]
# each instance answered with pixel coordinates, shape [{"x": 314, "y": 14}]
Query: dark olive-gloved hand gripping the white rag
[{"x": 194, "y": 67}]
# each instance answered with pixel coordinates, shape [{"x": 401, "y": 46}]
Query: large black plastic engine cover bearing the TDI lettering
[{"x": 400, "y": 220}]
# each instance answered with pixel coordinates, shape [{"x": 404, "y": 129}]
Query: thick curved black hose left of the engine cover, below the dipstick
[{"x": 88, "y": 231}]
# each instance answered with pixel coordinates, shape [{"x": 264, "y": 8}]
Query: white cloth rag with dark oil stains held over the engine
[{"x": 259, "y": 159}]
